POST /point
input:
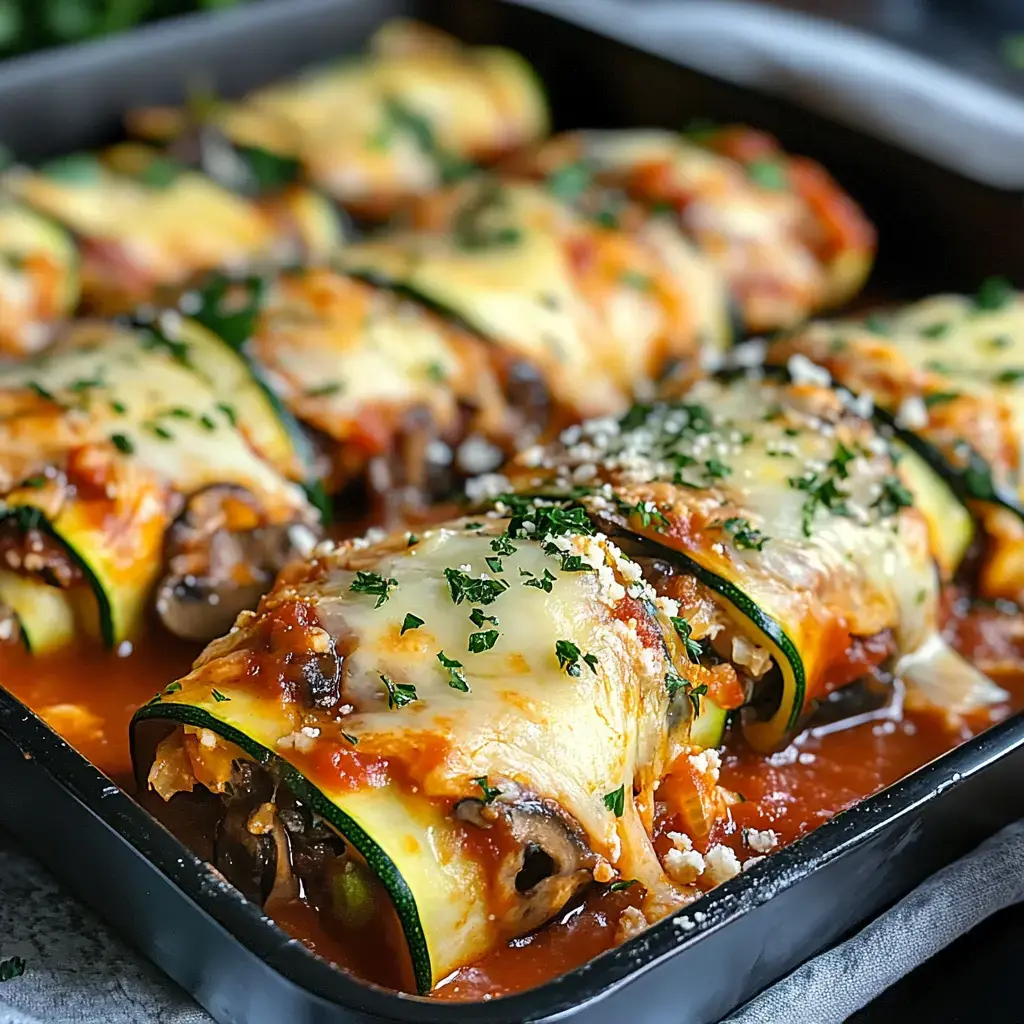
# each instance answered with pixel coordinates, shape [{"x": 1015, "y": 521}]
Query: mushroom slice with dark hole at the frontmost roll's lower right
[{"x": 546, "y": 865}]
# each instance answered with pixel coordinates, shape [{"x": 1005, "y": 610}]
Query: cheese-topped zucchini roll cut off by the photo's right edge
[{"x": 947, "y": 375}]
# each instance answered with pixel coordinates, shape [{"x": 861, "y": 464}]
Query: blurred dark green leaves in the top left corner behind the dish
[{"x": 32, "y": 25}]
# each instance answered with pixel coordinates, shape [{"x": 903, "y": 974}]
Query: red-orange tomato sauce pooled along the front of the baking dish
[{"x": 89, "y": 696}]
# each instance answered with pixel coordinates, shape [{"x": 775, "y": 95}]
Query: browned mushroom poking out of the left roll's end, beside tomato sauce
[{"x": 222, "y": 559}]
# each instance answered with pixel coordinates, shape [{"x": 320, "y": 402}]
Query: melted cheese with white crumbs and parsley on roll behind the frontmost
[{"x": 778, "y": 491}]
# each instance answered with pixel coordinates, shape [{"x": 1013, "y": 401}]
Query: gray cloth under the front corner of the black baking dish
[{"x": 78, "y": 973}]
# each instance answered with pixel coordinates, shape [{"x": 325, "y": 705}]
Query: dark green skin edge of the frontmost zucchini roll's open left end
[{"x": 376, "y": 859}]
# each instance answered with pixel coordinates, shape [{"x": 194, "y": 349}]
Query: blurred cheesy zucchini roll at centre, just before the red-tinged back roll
[{"x": 602, "y": 313}]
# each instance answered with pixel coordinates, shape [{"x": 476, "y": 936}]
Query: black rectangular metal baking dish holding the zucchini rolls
[{"x": 937, "y": 230}]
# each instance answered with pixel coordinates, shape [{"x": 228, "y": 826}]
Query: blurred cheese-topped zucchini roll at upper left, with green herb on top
[{"x": 144, "y": 223}]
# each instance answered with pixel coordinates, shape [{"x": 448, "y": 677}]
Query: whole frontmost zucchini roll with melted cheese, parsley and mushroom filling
[{"x": 471, "y": 723}]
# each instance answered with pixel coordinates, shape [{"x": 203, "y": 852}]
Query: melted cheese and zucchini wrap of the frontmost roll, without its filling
[{"x": 520, "y": 717}]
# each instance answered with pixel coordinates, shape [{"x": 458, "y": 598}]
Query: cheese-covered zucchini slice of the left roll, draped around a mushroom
[{"x": 114, "y": 407}]
